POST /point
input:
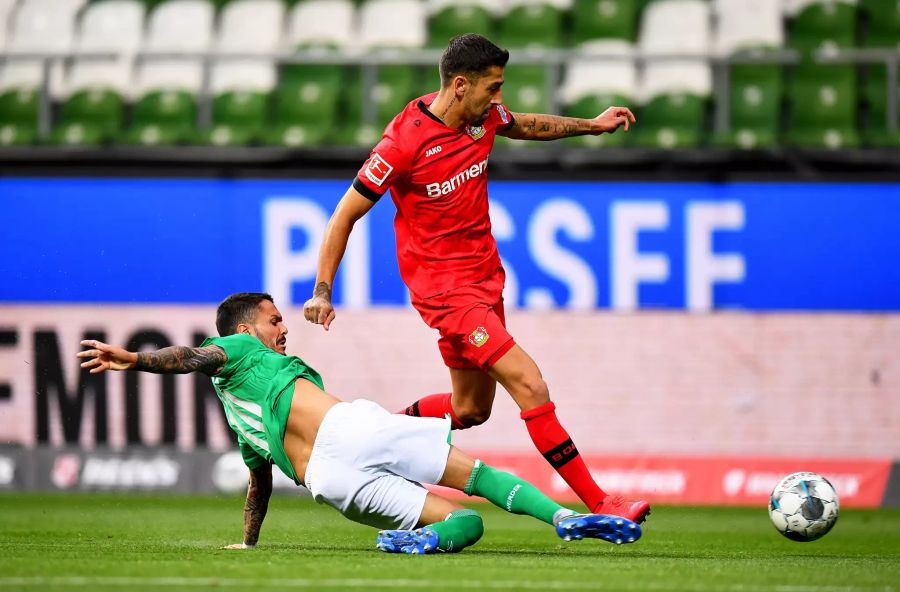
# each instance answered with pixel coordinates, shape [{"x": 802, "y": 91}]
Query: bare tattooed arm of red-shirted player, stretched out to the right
[{"x": 538, "y": 126}]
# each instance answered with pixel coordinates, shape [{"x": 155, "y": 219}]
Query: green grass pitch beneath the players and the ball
[{"x": 168, "y": 543}]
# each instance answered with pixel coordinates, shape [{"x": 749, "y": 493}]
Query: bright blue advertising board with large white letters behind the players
[{"x": 580, "y": 245}]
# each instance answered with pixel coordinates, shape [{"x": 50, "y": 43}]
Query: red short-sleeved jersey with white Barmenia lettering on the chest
[{"x": 438, "y": 181}]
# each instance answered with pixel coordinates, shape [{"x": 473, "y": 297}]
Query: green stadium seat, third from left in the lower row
[{"x": 163, "y": 117}]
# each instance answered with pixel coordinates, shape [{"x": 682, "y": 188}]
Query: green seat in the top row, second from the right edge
[{"x": 824, "y": 25}]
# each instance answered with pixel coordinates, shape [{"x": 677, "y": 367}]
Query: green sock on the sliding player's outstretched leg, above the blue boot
[{"x": 513, "y": 494}]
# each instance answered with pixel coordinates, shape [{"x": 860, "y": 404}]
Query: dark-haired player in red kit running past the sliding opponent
[{"x": 433, "y": 157}]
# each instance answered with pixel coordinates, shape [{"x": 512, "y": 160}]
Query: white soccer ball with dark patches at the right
[{"x": 804, "y": 506}]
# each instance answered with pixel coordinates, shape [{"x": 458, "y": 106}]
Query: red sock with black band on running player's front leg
[{"x": 552, "y": 440}]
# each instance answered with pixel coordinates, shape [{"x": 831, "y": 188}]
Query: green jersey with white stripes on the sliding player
[{"x": 256, "y": 386}]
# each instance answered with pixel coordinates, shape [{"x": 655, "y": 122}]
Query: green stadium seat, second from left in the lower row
[{"x": 90, "y": 117}]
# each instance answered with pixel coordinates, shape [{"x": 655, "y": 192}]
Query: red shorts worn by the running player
[{"x": 471, "y": 322}]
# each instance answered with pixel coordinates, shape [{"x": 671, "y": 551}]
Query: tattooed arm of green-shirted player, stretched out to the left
[{"x": 170, "y": 360}]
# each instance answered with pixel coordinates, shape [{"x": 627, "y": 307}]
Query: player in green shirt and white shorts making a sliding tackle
[{"x": 355, "y": 456}]
